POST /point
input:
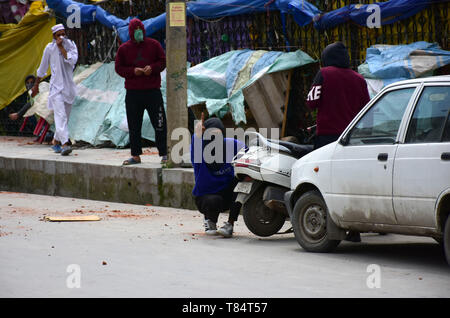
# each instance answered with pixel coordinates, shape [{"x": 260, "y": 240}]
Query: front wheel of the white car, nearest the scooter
[{"x": 310, "y": 223}]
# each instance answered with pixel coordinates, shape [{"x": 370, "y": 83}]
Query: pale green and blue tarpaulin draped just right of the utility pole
[{"x": 220, "y": 81}]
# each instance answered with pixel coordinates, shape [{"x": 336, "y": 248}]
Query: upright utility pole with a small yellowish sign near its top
[{"x": 176, "y": 77}]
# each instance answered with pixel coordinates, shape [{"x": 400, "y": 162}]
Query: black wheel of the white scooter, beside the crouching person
[{"x": 260, "y": 219}]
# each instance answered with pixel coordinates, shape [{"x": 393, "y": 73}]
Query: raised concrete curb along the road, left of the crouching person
[{"x": 135, "y": 184}]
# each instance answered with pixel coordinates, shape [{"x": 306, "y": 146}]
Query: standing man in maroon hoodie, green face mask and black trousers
[{"x": 140, "y": 61}]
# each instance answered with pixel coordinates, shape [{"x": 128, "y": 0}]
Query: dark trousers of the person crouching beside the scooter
[{"x": 211, "y": 205}]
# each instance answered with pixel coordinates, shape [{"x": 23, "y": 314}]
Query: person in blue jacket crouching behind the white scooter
[{"x": 211, "y": 156}]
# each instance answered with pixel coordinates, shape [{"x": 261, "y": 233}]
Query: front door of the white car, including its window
[{"x": 362, "y": 163}]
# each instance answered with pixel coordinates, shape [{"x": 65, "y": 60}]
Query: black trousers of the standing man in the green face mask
[{"x": 136, "y": 101}]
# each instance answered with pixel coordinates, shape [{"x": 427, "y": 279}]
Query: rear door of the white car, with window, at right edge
[{"x": 422, "y": 162}]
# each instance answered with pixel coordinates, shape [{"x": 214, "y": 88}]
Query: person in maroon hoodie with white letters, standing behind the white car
[{"x": 338, "y": 93}]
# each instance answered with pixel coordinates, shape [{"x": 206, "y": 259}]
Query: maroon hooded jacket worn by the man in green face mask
[{"x": 132, "y": 54}]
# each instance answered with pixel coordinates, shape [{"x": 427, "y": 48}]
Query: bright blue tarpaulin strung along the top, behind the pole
[{"x": 302, "y": 12}]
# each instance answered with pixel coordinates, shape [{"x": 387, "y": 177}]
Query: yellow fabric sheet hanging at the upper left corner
[{"x": 21, "y": 49}]
